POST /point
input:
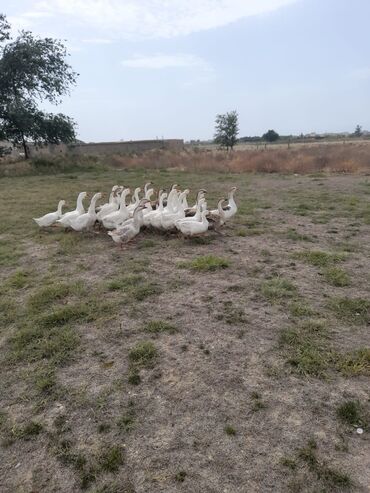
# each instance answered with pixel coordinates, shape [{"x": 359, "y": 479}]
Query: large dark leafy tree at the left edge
[{"x": 33, "y": 70}]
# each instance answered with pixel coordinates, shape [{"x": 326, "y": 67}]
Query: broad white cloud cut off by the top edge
[{"x": 143, "y": 19}]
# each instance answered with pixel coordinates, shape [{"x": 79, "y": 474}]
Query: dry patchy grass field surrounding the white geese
[{"x": 235, "y": 363}]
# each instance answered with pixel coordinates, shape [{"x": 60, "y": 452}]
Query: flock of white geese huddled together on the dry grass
[{"x": 124, "y": 218}]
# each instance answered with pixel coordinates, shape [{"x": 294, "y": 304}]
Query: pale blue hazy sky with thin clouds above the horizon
[{"x": 164, "y": 68}]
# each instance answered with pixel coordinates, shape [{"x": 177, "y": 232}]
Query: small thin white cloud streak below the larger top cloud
[{"x": 162, "y": 61}]
